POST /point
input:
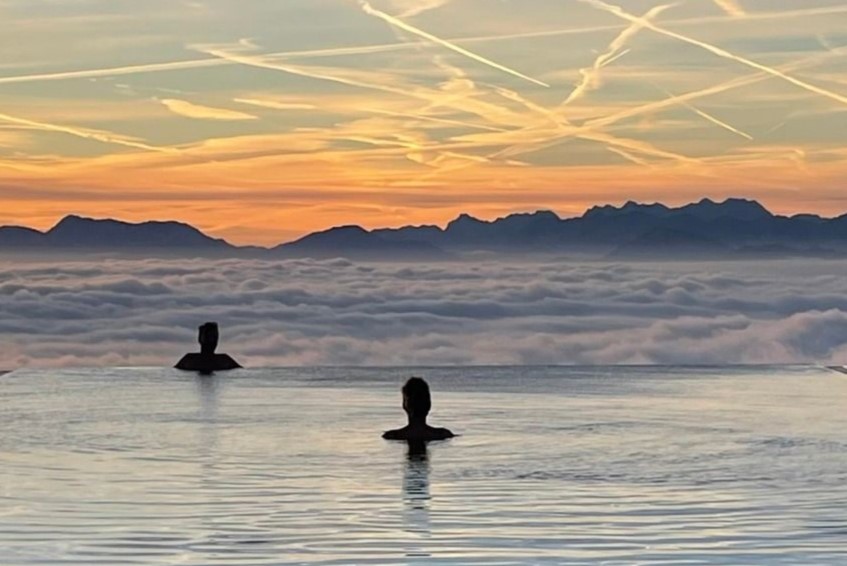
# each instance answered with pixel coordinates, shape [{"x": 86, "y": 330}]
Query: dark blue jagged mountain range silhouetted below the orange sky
[{"x": 732, "y": 228}]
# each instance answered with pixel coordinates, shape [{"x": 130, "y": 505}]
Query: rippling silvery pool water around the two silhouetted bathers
[{"x": 575, "y": 466}]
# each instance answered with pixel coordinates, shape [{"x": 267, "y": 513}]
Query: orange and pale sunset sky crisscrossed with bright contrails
[{"x": 261, "y": 120}]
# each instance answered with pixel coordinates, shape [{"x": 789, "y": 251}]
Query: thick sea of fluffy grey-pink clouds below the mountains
[{"x": 304, "y": 312}]
